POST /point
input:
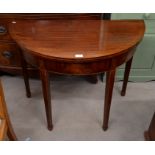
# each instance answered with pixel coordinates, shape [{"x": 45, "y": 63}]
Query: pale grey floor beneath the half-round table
[{"x": 78, "y": 108}]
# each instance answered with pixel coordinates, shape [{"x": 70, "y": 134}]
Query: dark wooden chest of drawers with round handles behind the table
[{"x": 10, "y": 58}]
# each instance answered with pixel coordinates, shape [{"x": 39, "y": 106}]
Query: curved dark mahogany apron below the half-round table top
[{"x": 79, "y": 68}]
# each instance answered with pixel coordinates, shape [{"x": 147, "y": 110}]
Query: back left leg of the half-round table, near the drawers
[{"x": 25, "y": 75}]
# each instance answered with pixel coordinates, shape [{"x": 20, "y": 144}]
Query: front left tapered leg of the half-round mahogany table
[{"x": 46, "y": 94}]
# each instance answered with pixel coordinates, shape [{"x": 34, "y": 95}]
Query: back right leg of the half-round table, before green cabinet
[{"x": 126, "y": 76}]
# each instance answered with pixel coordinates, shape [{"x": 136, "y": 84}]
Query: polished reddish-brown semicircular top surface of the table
[{"x": 64, "y": 39}]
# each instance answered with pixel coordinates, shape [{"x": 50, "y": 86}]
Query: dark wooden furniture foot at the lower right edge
[{"x": 150, "y": 133}]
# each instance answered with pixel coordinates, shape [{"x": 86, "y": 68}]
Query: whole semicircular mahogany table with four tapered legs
[{"x": 77, "y": 47}]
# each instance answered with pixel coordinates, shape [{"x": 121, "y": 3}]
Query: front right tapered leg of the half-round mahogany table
[{"x": 110, "y": 78}]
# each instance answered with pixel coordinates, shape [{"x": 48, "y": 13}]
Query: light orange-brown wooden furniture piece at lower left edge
[{"x": 5, "y": 124}]
